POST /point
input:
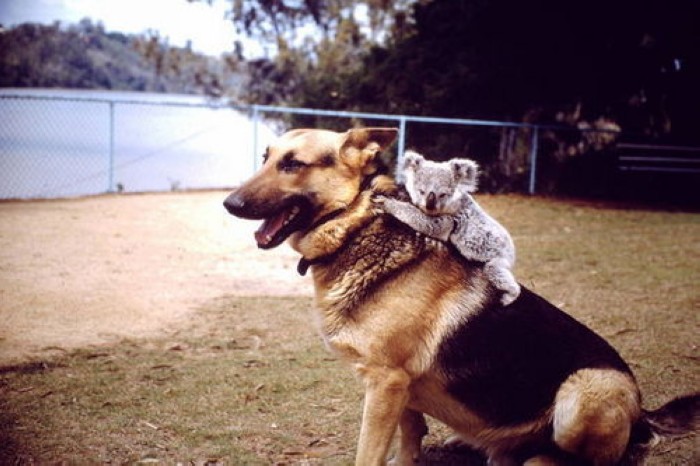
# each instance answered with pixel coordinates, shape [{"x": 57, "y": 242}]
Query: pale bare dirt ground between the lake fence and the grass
[{"x": 89, "y": 271}]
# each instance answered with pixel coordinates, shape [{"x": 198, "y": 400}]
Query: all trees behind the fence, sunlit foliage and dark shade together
[{"x": 630, "y": 64}]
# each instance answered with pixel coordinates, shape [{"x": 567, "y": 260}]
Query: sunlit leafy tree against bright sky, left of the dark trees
[{"x": 313, "y": 45}]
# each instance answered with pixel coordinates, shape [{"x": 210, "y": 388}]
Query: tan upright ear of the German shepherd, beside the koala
[{"x": 359, "y": 147}]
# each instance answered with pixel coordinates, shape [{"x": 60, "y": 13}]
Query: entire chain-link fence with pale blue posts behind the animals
[{"x": 73, "y": 143}]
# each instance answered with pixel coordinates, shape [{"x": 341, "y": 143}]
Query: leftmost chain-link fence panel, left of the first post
[{"x": 53, "y": 148}]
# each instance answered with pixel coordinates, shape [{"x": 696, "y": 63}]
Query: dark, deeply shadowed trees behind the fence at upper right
[{"x": 625, "y": 64}]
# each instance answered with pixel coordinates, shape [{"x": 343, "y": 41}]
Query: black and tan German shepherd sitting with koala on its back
[{"x": 425, "y": 329}]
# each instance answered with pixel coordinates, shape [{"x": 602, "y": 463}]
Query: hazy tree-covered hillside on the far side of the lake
[{"x": 85, "y": 56}]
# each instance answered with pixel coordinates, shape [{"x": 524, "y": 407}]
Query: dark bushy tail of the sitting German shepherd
[{"x": 676, "y": 418}]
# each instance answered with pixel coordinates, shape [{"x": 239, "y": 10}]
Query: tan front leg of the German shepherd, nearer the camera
[{"x": 386, "y": 395}]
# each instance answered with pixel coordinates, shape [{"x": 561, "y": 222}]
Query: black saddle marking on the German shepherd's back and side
[{"x": 507, "y": 362}]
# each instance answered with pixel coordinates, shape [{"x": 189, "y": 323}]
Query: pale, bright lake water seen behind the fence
[{"x": 60, "y": 148}]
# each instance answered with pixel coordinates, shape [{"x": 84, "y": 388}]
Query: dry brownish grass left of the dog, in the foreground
[{"x": 216, "y": 391}]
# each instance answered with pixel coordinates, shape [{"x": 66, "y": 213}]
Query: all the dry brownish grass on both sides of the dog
[{"x": 249, "y": 382}]
